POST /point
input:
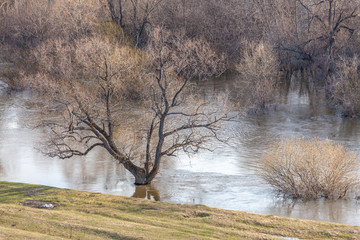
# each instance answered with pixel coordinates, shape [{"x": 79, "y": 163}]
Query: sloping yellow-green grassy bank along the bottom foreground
[{"x": 86, "y": 215}]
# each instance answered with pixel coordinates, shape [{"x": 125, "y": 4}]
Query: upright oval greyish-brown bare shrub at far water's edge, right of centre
[{"x": 259, "y": 71}]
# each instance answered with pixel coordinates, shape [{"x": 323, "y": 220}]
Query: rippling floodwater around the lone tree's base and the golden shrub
[{"x": 225, "y": 178}]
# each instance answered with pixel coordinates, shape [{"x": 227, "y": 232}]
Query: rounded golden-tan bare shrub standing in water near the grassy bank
[{"x": 309, "y": 169}]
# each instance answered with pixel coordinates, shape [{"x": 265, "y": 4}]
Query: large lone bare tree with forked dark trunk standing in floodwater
[{"x": 88, "y": 82}]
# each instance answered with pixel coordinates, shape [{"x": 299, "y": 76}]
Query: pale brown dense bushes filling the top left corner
[{"x": 28, "y": 23}]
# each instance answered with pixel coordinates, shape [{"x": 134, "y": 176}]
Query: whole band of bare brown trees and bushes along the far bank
[{"x": 318, "y": 36}]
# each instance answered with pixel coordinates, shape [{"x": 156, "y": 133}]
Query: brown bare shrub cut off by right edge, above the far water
[{"x": 345, "y": 86}]
